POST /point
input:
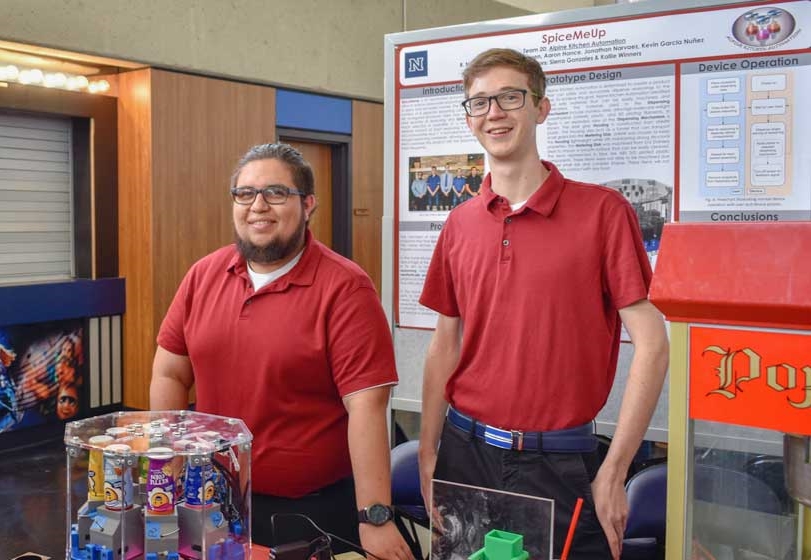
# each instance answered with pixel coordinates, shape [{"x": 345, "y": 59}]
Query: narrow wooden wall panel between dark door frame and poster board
[{"x": 367, "y": 187}]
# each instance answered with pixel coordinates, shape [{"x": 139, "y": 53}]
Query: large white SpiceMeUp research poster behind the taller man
[{"x": 693, "y": 115}]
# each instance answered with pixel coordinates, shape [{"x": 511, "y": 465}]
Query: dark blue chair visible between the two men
[{"x": 406, "y": 496}]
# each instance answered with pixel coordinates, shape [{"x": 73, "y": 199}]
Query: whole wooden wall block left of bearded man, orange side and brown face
[{"x": 181, "y": 136}]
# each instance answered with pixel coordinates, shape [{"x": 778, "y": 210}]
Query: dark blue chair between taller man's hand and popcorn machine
[{"x": 647, "y": 509}]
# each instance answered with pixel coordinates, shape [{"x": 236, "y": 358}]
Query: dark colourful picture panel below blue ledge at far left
[{"x": 41, "y": 373}]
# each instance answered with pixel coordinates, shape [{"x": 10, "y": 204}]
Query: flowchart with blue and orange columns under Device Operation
[{"x": 746, "y": 130}]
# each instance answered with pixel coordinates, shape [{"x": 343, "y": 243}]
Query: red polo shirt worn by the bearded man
[{"x": 283, "y": 357}]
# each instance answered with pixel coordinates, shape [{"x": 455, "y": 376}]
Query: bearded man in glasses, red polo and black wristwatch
[{"x": 282, "y": 332}]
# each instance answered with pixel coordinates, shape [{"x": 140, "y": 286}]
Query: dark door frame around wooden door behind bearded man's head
[{"x": 341, "y": 146}]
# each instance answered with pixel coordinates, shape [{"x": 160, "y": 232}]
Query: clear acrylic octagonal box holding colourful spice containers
[{"x": 165, "y": 485}]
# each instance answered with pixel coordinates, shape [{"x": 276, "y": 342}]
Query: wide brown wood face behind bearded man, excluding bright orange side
[{"x": 201, "y": 128}]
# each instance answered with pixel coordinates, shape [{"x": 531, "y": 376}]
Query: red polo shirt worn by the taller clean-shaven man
[{"x": 538, "y": 292}]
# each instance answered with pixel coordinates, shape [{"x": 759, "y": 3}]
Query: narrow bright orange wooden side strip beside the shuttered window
[{"x": 135, "y": 252}]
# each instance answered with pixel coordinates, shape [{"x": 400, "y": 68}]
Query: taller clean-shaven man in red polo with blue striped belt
[{"x": 538, "y": 272}]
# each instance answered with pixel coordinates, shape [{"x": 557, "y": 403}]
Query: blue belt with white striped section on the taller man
[{"x": 579, "y": 439}]
